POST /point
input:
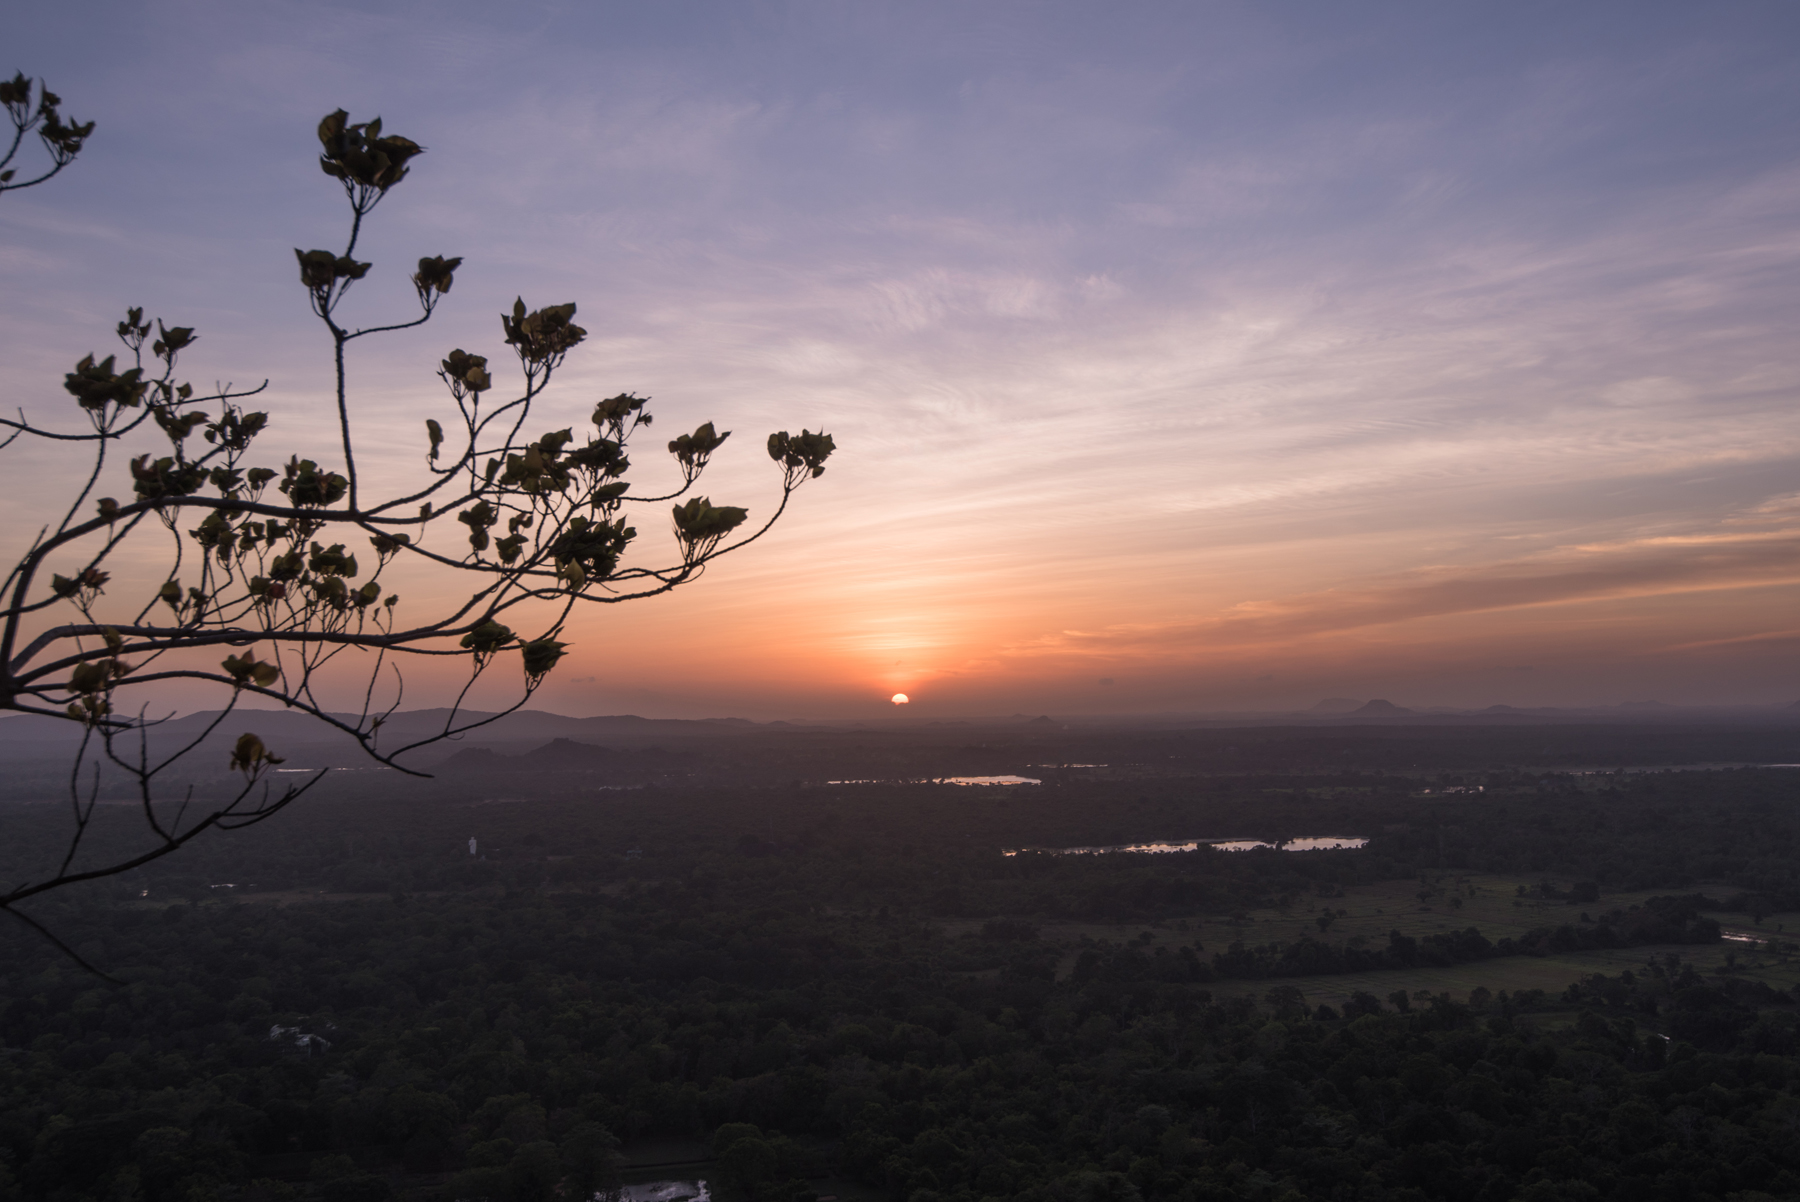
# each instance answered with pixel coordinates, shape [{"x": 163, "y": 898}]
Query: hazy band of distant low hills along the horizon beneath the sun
[{"x": 739, "y": 755}]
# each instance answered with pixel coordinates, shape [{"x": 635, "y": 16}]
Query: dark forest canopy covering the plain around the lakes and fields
[{"x": 780, "y": 982}]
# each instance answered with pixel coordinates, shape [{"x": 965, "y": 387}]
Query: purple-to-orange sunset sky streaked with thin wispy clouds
[{"x": 1182, "y": 357}]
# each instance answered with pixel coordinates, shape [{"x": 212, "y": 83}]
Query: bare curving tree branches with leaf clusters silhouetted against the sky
[{"x": 276, "y": 573}]
